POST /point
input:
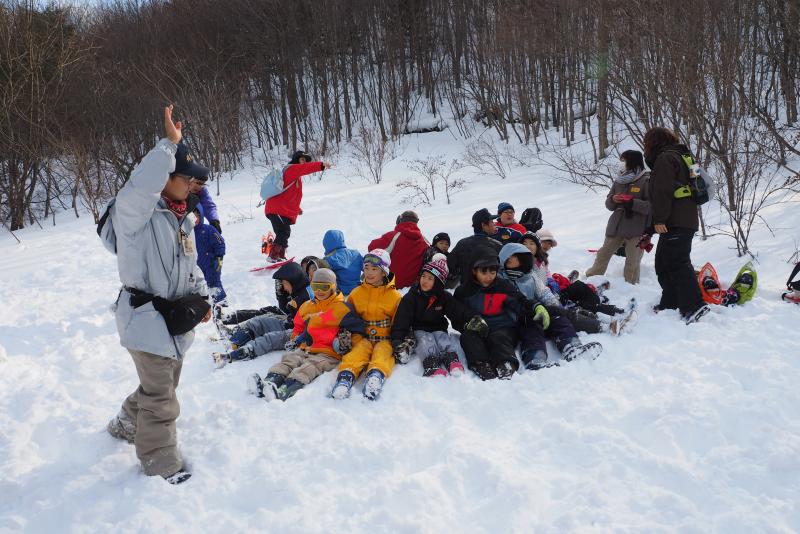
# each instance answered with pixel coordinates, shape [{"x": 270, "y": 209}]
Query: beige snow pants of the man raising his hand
[{"x": 153, "y": 408}]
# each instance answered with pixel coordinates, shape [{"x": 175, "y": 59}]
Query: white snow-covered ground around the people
[{"x": 673, "y": 428}]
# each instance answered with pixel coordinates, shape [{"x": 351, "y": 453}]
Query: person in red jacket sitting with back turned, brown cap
[{"x": 406, "y": 246}]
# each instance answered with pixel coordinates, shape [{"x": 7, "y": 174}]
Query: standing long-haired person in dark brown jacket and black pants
[{"x": 676, "y": 221}]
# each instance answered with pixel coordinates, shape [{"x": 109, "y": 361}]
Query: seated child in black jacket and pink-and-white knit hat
[{"x": 420, "y": 326}]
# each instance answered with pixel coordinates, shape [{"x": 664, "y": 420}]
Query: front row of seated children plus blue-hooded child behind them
[{"x": 325, "y": 321}]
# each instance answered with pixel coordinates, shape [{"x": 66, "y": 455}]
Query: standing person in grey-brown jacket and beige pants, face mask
[{"x": 630, "y": 207}]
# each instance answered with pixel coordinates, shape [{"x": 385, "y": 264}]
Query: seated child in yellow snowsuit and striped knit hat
[{"x": 375, "y": 301}]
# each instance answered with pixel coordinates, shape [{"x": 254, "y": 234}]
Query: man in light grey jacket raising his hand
[{"x": 150, "y": 228}]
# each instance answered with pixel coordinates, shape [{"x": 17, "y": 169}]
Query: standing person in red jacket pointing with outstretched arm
[{"x": 282, "y": 210}]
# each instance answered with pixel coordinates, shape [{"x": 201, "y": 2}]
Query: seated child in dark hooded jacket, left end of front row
[{"x": 267, "y": 329}]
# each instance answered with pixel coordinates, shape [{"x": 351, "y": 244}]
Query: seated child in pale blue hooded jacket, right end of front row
[{"x": 518, "y": 266}]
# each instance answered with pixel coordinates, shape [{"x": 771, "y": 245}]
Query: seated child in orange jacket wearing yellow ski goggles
[{"x": 312, "y": 349}]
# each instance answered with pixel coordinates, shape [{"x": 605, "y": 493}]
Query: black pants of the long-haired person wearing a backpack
[{"x": 679, "y": 288}]
